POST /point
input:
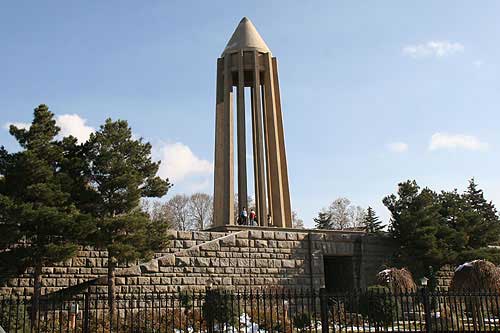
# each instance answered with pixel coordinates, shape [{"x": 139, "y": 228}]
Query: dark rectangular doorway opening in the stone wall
[{"x": 339, "y": 273}]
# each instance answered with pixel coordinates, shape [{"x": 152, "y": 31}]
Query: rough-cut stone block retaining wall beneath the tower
[{"x": 235, "y": 259}]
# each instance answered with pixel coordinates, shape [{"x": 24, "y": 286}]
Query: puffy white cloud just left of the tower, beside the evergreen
[{"x": 178, "y": 162}]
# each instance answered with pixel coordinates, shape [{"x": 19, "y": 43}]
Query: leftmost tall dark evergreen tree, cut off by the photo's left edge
[{"x": 39, "y": 223}]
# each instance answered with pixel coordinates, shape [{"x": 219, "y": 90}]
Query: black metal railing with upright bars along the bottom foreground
[{"x": 256, "y": 311}]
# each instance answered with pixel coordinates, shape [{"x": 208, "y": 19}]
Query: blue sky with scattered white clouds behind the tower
[{"x": 373, "y": 93}]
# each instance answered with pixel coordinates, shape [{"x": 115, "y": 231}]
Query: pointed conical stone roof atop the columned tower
[{"x": 245, "y": 37}]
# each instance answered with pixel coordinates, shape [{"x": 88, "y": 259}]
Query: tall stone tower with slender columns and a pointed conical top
[{"x": 247, "y": 62}]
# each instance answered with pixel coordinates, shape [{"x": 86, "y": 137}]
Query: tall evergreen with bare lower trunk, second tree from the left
[{"x": 121, "y": 172}]
